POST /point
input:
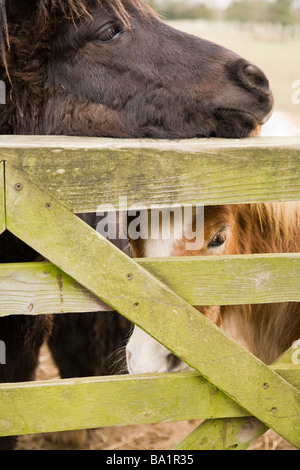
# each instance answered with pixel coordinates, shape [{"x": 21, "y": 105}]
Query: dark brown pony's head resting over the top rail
[{"x": 113, "y": 68}]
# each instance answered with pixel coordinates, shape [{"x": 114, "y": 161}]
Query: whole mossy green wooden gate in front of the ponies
[{"x": 44, "y": 181}]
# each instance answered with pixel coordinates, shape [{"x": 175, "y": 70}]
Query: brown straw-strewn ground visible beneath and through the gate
[{"x": 160, "y": 436}]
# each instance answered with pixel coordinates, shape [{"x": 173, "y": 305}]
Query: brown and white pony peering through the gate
[{"x": 267, "y": 330}]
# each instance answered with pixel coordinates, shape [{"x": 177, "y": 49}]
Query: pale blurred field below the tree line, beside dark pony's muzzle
[{"x": 271, "y": 48}]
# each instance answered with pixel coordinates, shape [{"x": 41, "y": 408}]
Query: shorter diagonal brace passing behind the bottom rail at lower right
[{"x": 237, "y": 433}]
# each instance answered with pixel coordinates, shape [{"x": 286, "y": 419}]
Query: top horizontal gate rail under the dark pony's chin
[{"x": 84, "y": 173}]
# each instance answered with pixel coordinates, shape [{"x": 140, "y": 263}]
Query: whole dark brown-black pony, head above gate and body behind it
[{"x": 108, "y": 68}]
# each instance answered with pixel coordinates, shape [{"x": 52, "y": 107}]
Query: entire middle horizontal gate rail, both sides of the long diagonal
[{"x": 42, "y": 288}]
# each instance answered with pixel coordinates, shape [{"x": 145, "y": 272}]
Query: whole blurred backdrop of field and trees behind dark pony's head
[{"x": 266, "y": 32}]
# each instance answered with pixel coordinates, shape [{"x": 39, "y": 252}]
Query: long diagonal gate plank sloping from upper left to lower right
[{"x": 60, "y": 236}]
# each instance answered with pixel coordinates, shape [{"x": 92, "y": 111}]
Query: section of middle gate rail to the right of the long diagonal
[{"x": 230, "y": 280}]
